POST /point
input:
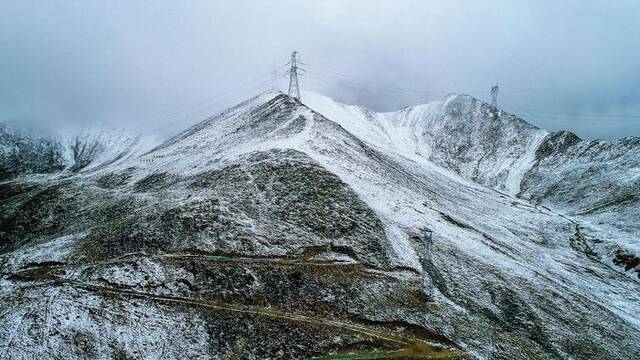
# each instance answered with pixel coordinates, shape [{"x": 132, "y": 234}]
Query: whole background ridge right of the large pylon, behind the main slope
[{"x": 594, "y": 182}]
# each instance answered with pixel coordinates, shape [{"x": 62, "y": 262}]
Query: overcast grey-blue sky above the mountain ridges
[{"x": 560, "y": 64}]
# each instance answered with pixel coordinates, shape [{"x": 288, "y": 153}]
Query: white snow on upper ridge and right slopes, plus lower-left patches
[{"x": 421, "y": 175}]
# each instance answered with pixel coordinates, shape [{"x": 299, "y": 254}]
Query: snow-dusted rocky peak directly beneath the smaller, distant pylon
[{"x": 459, "y": 133}]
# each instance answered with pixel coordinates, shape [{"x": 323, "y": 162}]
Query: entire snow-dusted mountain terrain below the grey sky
[{"x": 280, "y": 229}]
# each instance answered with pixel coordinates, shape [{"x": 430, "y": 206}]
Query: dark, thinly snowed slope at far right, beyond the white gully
[{"x": 593, "y": 181}]
